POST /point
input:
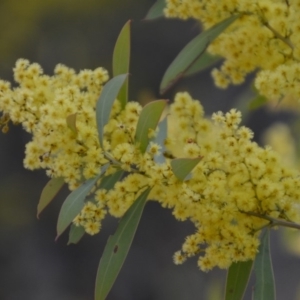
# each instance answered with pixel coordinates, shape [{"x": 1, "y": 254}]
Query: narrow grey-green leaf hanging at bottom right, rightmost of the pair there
[{"x": 264, "y": 288}]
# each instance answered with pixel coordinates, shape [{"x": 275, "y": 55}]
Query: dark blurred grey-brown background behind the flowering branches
[{"x": 81, "y": 34}]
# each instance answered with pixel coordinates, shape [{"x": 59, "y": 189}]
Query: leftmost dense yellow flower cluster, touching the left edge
[{"x": 42, "y": 105}]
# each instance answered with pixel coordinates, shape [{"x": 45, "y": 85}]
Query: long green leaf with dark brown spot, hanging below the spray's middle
[{"x": 117, "y": 247}]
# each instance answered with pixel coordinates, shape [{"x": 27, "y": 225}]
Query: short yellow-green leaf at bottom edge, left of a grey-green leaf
[{"x": 237, "y": 279}]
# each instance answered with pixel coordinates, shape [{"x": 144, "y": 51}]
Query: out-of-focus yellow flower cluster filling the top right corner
[{"x": 266, "y": 38}]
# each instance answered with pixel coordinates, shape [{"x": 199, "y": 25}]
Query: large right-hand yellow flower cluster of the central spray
[{"x": 234, "y": 181}]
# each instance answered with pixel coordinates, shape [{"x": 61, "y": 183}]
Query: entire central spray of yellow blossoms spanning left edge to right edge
[{"x": 231, "y": 195}]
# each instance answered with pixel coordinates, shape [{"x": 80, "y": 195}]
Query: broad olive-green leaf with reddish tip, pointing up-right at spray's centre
[{"x": 148, "y": 119}]
